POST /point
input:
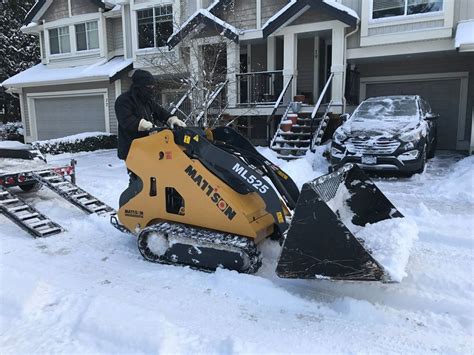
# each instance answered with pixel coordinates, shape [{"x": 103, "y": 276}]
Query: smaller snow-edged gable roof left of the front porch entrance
[{"x": 206, "y": 18}]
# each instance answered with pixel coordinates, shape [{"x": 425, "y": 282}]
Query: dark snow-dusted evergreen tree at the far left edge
[{"x": 18, "y": 51}]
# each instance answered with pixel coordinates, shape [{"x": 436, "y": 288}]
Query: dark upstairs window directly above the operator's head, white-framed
[{"x": 155, "y": 26}]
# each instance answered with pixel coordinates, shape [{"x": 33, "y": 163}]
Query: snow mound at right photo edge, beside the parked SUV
[{"x": 459, "y": 183}]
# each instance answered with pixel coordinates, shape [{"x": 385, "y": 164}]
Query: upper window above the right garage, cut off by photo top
[{"x": 392, "y": 8}]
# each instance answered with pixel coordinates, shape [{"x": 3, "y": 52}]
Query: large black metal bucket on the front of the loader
[{"x": 322, "y": 241}]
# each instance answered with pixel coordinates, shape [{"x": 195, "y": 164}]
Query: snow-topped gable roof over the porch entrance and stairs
[{"x": 296, "y": 7}]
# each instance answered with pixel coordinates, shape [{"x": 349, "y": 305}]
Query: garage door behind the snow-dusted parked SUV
[{"x": 443, "y": 96}]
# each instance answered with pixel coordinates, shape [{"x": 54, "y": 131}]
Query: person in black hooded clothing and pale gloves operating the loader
[{"x": 137, "y": 112}]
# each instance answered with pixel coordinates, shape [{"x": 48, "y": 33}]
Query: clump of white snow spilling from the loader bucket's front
[{"x": 390, "y": 242}]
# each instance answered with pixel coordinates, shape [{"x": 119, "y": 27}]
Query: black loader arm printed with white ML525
[{"x": 235, "y": 172}]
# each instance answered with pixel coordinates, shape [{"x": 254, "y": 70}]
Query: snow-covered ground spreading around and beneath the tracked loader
[{"x": 89, "y": 290}]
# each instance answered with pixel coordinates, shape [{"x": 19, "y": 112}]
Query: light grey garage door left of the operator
[{"x": 64, "y": 116}]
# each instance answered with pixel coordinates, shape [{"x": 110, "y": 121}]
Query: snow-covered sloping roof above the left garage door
[{"x": 42, "y": 74}]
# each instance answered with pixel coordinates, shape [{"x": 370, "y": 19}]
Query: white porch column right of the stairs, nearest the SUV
[{"x": 337, "y": 65}]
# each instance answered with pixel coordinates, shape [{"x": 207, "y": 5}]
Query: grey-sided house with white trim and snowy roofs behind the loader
[{"x": 275, "y": 49}]
